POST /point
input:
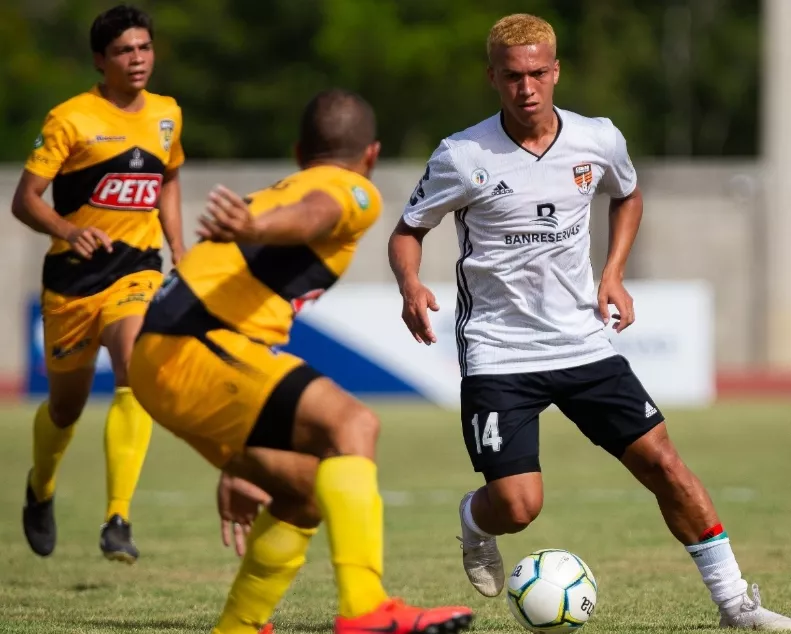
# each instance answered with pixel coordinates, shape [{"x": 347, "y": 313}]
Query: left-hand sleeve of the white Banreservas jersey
[{"x": 441, "y": 189}]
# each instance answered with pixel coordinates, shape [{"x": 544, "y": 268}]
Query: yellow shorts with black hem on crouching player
[{"x": 219, "y": 392}]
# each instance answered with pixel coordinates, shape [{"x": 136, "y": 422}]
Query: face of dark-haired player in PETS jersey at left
[{"x": 128, "y": 61}]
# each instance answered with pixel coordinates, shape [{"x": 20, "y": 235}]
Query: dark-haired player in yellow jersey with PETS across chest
[{"x": 112, "y": 155}]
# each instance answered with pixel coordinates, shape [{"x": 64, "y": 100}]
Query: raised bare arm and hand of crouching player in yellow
[{"x": 229, "y": 219}]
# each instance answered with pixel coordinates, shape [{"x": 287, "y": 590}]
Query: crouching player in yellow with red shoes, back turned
[{"x": 207, "y": 367}]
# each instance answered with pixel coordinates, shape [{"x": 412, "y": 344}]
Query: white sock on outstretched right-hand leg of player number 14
[{"x": 720, "y": 571}]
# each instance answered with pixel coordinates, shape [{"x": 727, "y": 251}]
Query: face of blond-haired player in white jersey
[{"x": 525, "y": 77}]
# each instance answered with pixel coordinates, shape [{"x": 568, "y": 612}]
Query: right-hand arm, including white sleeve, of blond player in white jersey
[{"x": 626, "y": 211}]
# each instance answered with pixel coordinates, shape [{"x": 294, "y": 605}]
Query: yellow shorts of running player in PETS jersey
[{"x": 73, "y": 325}]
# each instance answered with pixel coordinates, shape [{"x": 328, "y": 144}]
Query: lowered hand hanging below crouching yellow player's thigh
[{"x": 238, "y": 502}]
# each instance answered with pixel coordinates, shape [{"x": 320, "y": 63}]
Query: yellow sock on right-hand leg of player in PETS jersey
[{"x": 126, "y": 436}]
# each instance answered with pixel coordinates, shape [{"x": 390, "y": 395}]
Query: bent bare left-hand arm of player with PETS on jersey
[{"x": 30, "y": 208}]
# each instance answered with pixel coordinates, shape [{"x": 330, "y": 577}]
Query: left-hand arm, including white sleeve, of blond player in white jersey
[{"x": 441, "y": 189}]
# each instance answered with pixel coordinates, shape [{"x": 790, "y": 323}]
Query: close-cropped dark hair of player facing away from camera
[{"x": 336, "y": 124}]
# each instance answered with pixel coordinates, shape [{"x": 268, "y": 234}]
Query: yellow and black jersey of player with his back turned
[{"x": 256, "y": 290}]
